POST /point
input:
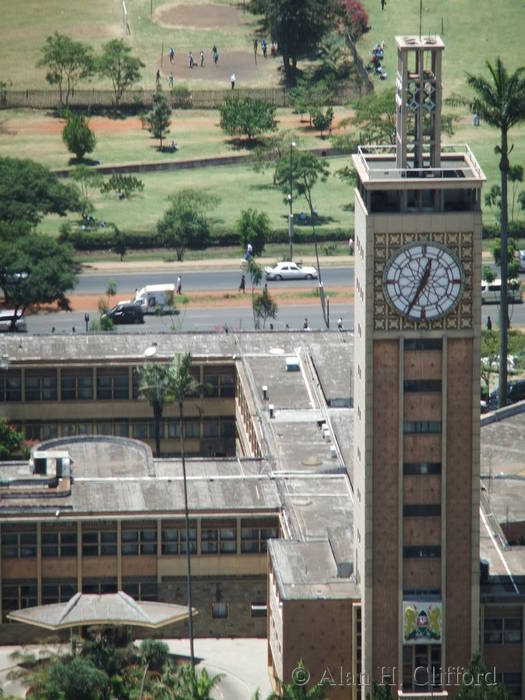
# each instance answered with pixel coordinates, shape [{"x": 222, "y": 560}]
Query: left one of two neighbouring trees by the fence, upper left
[{"x": 67, "y": 62}]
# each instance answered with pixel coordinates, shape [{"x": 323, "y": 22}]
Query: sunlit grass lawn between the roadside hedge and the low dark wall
[{"x": 238, "y": 187}]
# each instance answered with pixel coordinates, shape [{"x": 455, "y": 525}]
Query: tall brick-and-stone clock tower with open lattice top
[{"x": 416, "y": 391}]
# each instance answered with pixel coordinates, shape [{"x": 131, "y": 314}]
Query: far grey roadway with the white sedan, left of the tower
[{"x": 201, "y": 280}]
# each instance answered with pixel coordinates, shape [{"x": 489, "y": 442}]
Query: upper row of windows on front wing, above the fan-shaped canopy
[{"x": 215, "y": 539}]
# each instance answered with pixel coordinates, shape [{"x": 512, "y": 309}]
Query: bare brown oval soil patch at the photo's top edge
[{"x": 201, "y": 16}]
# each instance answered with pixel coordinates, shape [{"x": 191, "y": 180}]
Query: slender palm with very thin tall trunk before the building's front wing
[{"x": 182, "y": 385}]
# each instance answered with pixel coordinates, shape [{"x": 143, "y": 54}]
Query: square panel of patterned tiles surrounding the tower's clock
[{"x": 386, "y": 244}]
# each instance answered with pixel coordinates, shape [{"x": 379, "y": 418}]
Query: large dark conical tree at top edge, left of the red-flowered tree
[{"x": 297, "y": 27}]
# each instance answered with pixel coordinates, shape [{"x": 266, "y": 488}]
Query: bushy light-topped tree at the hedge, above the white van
[{"x": 184, "y": 224}]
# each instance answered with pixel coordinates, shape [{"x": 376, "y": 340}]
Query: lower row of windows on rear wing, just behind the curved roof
[{"x": 139, "y": 429}]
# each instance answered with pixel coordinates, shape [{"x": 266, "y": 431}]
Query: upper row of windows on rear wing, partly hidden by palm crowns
[{"x": 86, "y": 384}]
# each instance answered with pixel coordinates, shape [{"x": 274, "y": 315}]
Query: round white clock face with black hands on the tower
[{"x": 423, "y": 281}]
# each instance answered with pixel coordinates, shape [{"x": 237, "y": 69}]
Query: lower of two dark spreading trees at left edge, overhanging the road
[{"x": 50, "y": 267}]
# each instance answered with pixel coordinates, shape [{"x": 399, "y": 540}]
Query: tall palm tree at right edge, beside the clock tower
[{"x": 500, "y": 101}]
